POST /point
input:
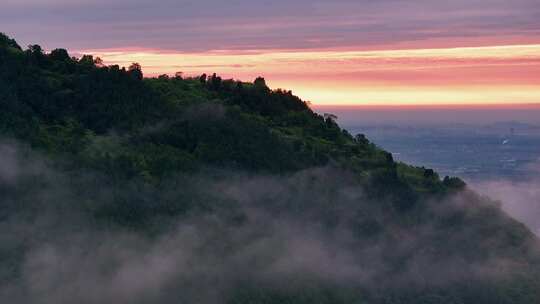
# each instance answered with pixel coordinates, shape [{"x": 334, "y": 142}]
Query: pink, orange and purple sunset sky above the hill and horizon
[{"x": 339, "y": 52}]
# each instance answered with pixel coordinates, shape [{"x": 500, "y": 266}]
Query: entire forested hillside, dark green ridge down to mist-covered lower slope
[{"x": 117, "y": 188}]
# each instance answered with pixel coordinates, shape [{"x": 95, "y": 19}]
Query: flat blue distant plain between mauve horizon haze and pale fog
[{"x": 501, "y": 150}]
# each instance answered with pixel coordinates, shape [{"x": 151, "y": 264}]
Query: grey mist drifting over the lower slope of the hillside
[{"x": 310, "y": 231}]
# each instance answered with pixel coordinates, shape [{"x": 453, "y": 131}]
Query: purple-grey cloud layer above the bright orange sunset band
[{"x": 278, "y": 24}]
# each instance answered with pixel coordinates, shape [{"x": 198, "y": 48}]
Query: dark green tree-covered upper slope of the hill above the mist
[{"x": 62, "y": 106}]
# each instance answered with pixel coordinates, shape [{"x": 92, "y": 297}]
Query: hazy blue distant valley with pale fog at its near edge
[{"x": 499, "y": 159}]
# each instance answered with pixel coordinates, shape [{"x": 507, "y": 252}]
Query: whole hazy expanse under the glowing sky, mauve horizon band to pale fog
[{"x": 495, "y": 148}]
